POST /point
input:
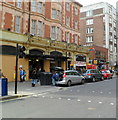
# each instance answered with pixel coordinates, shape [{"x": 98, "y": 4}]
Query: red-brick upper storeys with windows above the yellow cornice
[{"x": 55, "y": 20}]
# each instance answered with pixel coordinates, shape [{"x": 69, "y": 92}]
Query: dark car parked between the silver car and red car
[{"x": 93, "y": 75}]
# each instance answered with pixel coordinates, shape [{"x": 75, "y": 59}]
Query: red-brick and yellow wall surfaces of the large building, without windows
[{"x": 10, "y": 37}]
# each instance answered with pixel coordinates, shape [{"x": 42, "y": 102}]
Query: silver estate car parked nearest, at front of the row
[{"x": 70, "y": 77}]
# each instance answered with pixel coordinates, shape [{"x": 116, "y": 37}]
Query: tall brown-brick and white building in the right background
[{"x": 104, "y": 28}]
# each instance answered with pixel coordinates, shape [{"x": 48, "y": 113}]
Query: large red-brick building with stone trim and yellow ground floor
[{"x": 48, "y": 30}]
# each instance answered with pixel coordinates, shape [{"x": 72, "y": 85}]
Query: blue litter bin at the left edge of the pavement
[{"x": 4, "y": 86}]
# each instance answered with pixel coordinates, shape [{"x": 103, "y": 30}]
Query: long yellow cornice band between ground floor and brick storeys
[{"x": 41, "y": 42}]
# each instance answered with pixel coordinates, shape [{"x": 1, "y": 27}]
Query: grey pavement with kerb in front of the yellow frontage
[{"x": 25, "y": 89}]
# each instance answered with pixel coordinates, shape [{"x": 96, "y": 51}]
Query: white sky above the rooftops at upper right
[{"x": 89, "y": 2}]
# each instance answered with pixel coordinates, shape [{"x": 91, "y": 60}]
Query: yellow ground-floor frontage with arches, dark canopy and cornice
[{"x": 39, "y": 53}]
